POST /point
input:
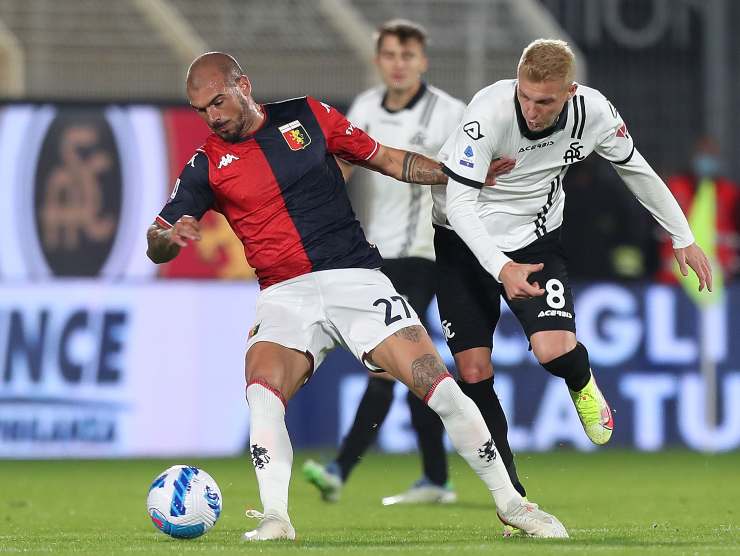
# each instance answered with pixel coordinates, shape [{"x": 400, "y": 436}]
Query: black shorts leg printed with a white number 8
[{"x": 553, "y": 311}]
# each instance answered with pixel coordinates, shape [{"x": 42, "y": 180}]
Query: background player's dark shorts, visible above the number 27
[{"x": 415, "y": 279}]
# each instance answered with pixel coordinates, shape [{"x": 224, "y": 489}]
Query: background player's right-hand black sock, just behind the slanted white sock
[{"x": 428, "y": 427}]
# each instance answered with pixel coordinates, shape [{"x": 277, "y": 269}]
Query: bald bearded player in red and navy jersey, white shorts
[{"x": 271, "y": 170}]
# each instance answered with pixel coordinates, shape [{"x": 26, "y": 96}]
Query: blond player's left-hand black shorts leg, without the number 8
[{"x": 468, "y": 297}]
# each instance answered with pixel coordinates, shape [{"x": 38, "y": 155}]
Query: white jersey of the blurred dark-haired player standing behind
[{"x": 396, "y": 216}]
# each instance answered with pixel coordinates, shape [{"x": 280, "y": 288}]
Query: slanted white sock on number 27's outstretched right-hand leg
[{"x": 472, "y": 440}]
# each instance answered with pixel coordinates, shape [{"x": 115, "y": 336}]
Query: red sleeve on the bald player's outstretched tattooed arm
[{"x": 343, "y": 138}]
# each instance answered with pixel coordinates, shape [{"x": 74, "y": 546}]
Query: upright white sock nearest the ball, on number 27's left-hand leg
[{"x": 269, "y": 444}]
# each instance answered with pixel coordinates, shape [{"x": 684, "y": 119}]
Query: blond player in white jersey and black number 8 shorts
[{"x": 505, "y": 240}]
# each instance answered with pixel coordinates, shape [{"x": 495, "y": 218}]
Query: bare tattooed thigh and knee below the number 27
[{"x": 410, "y": 356}]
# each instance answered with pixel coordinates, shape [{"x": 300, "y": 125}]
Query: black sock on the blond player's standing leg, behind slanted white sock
[{"x": 493, "y": 414}]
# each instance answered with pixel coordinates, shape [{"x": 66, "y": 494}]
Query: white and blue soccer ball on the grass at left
[{"x": 184, "y": 502}]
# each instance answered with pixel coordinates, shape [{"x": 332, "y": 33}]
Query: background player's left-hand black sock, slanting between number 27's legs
[{"x": 373, "y": 408}]
